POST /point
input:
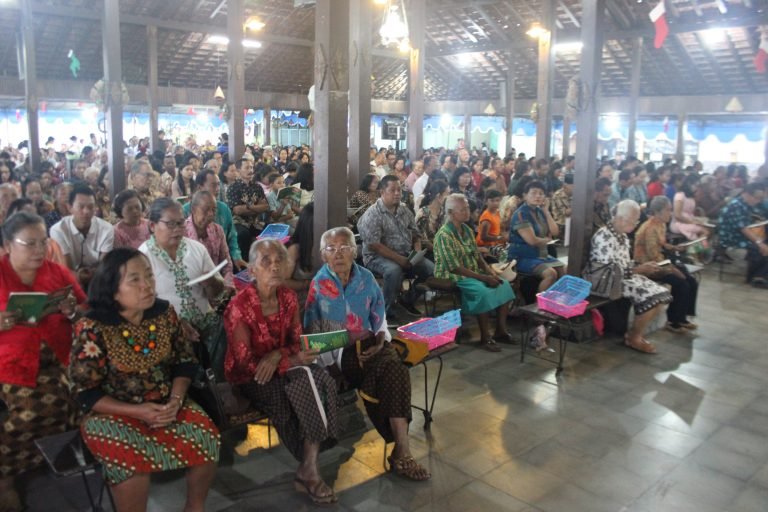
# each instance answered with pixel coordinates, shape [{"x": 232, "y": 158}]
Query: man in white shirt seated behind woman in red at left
[{"x": 84, "y": 238}]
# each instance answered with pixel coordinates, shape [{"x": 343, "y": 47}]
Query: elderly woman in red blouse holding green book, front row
[{"x": 264, "y": 357}]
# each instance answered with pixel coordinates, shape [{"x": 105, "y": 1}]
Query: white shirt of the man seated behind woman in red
[{"x": 85, "y": 251}]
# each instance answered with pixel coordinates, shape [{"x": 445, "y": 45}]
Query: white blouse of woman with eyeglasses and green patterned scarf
[{"x": 197, "y": 262}]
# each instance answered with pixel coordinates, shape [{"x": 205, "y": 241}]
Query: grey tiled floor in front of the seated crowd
[{"x": 684, "y": 430}]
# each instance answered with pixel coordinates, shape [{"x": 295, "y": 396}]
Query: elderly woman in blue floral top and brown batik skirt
[{"x": 344, "y": 295}]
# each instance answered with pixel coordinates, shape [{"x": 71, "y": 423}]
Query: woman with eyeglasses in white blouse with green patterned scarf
[{"x": 176, "y": 260}]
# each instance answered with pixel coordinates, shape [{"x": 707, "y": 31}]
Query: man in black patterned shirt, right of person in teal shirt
[{"x": 248, "y": 203}]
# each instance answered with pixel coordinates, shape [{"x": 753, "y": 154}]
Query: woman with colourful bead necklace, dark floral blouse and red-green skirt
[{"x": 132, "y": 364}]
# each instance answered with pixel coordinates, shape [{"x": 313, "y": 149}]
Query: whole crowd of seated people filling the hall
[{"x": 127, "y": 346}]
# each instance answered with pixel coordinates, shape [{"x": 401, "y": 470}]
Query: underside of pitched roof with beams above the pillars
[{"x": 472, "y": 46}]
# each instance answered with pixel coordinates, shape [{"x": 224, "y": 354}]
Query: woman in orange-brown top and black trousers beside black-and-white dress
[{"x": 650, "y": 244}]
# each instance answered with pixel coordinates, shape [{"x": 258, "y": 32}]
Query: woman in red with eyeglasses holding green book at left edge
[{"x": 34, "y": 352}]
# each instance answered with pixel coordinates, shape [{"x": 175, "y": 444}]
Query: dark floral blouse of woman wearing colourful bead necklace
[{"x": 131, "y": 363}]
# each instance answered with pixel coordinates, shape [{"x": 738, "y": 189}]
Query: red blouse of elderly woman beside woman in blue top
[{"x": 251, "y": 336}]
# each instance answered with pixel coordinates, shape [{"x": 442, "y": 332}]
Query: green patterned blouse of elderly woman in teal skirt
[{"x": 453, "y": 250}]
